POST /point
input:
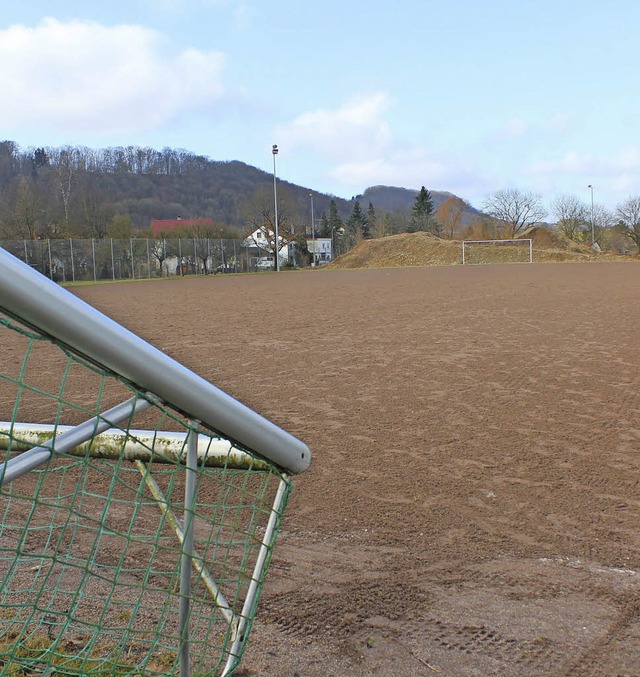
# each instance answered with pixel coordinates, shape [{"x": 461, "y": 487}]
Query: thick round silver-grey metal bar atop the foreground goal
[{"x": 36, "y": 300}]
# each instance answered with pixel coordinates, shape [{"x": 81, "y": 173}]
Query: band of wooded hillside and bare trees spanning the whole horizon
[{"x": 116, "y": 192}]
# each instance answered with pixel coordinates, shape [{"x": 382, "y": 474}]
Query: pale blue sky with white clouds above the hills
[{"x": 463, "y": 96}]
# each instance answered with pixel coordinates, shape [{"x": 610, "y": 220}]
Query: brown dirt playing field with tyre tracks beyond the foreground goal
[{"x": 473, "y": 505}]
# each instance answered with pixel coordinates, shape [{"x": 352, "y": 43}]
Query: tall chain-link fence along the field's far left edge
[{"x": 71, "y": 260}]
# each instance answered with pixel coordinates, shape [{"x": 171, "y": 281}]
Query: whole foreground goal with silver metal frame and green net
[{"x": 139, "y": 504}]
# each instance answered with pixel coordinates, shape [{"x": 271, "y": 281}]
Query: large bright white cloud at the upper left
[{"x": 81, "y": 76}]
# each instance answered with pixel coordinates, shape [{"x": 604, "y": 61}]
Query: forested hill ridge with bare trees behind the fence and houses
[{"x": 73, "y": 190}]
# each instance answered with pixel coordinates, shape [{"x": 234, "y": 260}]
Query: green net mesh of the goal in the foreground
[{"x": 91, "y": 542}]
